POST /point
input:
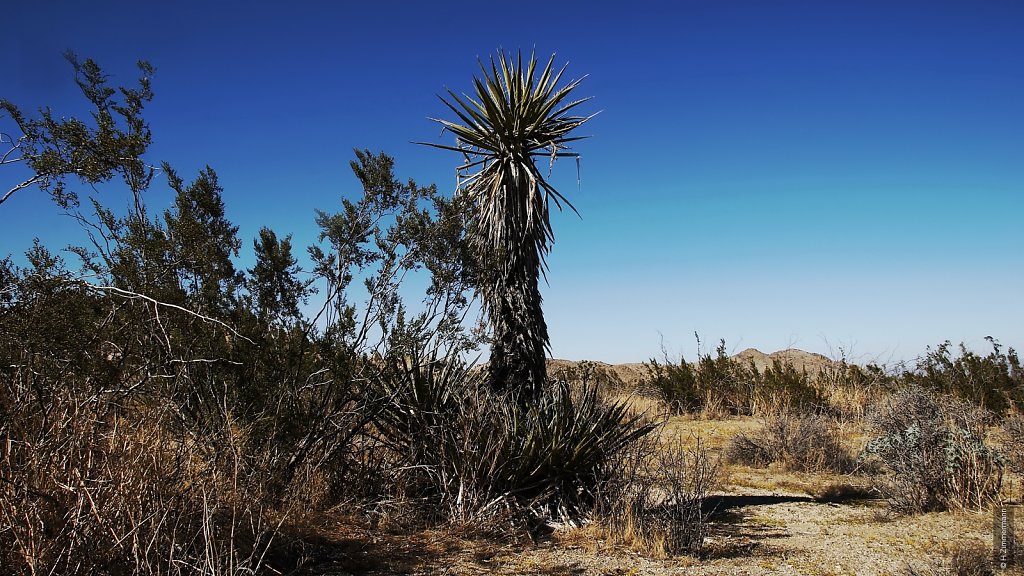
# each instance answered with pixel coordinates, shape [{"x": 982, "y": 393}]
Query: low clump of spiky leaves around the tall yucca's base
[{"x": 466, "y": 452}]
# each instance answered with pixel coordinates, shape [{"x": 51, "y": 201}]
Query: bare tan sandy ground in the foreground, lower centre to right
[{"x": 767, "y": 521}]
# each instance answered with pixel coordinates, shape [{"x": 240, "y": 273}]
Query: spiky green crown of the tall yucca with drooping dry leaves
[{"x": 517, "y": 115}]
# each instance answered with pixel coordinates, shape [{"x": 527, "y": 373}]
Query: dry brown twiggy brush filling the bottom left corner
[{"x": 92, "y": 486}]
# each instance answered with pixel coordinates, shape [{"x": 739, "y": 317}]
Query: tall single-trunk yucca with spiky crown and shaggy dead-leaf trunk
[{"x": 519, "y": 115}]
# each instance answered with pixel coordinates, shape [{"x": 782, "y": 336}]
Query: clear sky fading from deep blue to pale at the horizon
[{"x": 823, "y": 175}]
